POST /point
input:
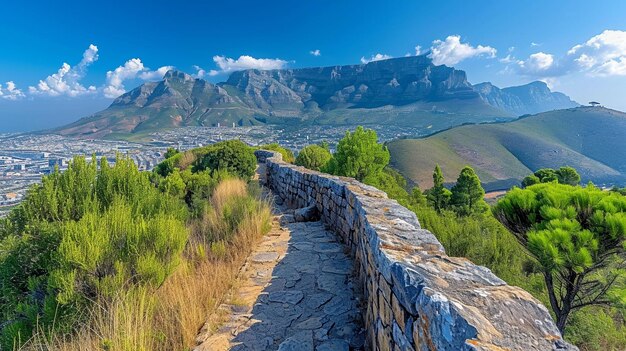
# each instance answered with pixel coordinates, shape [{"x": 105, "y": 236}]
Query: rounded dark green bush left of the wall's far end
[{"x": 233, "y": 156}]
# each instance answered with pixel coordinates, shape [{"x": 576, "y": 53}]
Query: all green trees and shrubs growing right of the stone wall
[{"x": 461, "y": 220}]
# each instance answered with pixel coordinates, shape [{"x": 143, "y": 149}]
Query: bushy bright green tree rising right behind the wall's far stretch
[{"x": 359, "y": 155}]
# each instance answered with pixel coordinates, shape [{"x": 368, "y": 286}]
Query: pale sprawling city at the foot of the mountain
[{"x": 25, "y": 158}]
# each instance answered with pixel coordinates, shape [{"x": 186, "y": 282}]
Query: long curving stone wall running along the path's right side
[{"x": 418, "y": 298}]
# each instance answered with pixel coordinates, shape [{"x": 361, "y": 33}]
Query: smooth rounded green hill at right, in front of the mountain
[{"x": 590, "y": 139}]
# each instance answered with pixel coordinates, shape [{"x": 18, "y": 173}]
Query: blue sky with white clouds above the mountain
[{"x": 505, "y": 42}]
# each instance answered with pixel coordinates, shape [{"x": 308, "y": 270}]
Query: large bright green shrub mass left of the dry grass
[{"x": 80, "y": 234}]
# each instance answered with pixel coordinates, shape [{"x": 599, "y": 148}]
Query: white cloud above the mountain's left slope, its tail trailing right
[{"x": 132, "y": 69}]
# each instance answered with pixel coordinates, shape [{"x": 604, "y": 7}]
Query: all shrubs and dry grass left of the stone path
[{"x": 113, "y": 258}]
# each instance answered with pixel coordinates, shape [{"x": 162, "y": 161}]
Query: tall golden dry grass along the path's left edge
[{"x": 170, "y": 316}]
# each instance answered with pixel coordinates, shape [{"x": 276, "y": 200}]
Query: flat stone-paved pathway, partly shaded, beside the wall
[{"x": 294, "y": 293}]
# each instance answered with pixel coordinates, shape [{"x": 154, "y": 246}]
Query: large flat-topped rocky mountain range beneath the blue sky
[{"x": 403, "y": 91}]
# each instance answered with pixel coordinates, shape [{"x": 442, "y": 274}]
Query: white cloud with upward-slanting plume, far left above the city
[{"x": 67, "y": 79}]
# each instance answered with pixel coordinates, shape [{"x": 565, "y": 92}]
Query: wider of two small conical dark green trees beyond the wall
[{"x": 468, "y": 193}]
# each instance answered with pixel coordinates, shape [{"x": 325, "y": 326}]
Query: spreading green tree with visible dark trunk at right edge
[{"x": 576, "y": 235}]
